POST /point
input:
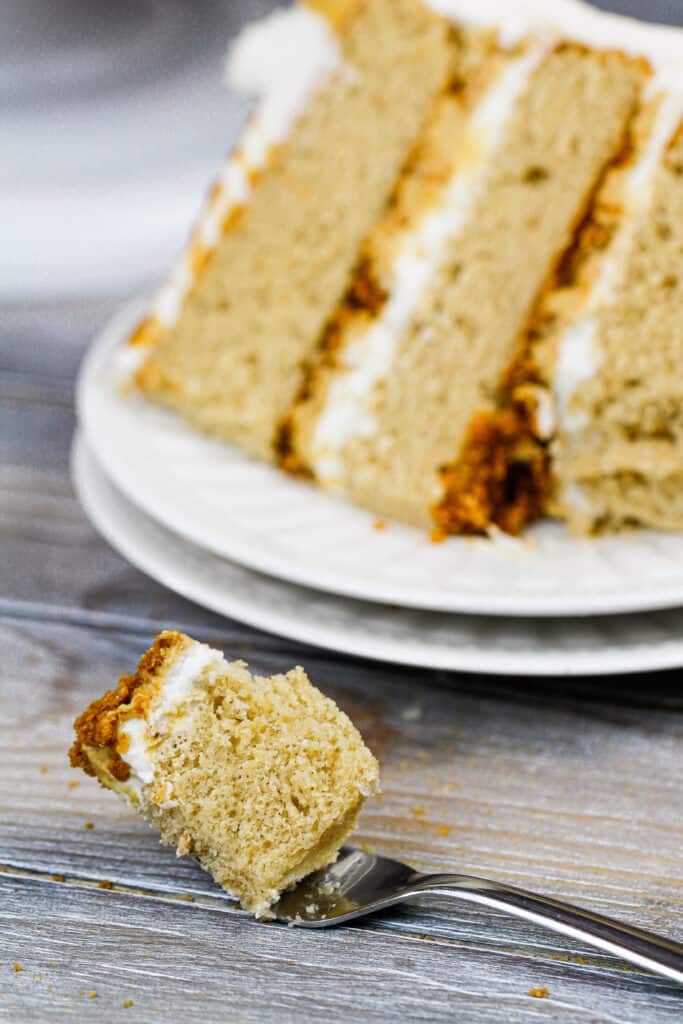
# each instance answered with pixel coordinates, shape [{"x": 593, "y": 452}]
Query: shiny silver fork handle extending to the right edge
[{"x": 655, "y": 953}]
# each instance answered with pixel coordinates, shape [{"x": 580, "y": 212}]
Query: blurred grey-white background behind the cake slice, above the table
[{"x": 114, "y": 118}]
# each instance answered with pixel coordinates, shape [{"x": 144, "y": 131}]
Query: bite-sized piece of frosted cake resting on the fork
[{"x": 261, "y": 780}]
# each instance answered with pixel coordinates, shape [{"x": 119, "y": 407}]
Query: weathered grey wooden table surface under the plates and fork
[{"x": 570, "y": 787}]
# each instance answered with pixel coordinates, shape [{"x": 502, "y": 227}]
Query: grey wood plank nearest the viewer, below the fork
[{"x": 208, "y": 966}]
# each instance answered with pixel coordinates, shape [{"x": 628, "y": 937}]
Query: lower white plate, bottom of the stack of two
[{"x": 435, "y": 641}]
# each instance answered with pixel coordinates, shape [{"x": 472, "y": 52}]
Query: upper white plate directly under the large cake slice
[{"x": 215, "y": 496}]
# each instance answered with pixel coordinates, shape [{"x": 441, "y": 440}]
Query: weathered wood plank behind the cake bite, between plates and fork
[{"x": 491, "y": 783}]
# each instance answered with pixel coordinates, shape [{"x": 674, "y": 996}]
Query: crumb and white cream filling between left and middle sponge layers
[{"x": 402, "y": 255}]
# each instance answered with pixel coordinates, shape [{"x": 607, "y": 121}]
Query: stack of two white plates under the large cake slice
[{"x": 245, "y": 540}]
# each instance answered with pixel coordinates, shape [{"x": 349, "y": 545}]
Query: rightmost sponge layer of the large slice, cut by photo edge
[{"x": 619, "y": 370}]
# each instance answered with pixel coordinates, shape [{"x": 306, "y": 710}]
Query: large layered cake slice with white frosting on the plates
[{"x": 441, "y": 276}]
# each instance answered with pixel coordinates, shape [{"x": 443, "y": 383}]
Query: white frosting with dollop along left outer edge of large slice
[{"x": 282, "y": 60}]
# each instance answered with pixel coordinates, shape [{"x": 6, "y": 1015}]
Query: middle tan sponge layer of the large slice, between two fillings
[{"x": 451, "y": 359}]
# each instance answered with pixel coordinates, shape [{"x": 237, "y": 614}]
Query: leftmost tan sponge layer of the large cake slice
[{"x": 260, "y": 297}]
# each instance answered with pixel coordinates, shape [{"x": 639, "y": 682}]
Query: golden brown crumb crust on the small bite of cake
[{"x": 99, "y": 724}]
